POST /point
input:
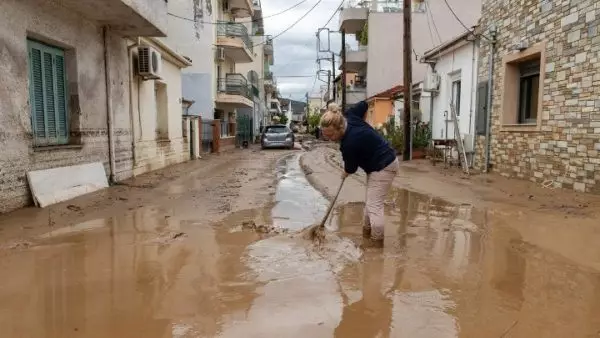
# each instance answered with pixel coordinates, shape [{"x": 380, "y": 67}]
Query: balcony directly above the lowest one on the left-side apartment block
[{"x": 236, "y": 43}]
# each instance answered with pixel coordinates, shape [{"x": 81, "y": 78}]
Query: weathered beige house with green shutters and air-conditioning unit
[{"x": 68, "y": 90}]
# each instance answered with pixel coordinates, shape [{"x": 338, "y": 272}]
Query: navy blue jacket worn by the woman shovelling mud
[{"x": 361, "y": 145}]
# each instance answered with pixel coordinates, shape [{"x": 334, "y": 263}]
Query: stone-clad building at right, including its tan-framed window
[{"x": 545, "y": 125}]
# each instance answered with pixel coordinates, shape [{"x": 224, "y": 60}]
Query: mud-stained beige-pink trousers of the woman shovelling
[{"x": 378, "y": 186}]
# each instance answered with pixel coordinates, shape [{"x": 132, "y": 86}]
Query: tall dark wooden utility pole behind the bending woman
[{"x": 407, "y": 78}]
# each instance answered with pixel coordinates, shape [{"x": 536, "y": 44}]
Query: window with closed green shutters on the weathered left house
[{"x": 48, "y": 94}]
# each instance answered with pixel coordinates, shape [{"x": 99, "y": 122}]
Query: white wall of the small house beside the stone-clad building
[{"x": 458, "y": 64}]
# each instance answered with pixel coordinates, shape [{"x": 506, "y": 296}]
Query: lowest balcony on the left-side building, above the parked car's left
[{"x": 233, "y": 92}]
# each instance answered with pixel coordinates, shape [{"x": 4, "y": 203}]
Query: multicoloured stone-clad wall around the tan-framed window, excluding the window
[{"x": 564, "y": 147}]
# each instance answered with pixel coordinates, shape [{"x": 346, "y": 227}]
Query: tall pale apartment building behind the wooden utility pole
[{"x": 377, "y": 59}]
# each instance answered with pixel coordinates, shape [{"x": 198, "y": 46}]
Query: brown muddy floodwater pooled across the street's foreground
[{"x": 446, "y": 271}]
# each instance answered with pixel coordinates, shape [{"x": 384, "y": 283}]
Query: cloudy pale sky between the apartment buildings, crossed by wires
[{"x": 296, "y": 50}]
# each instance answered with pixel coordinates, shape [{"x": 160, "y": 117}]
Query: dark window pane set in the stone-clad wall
[{"x": 529, "y": 86}]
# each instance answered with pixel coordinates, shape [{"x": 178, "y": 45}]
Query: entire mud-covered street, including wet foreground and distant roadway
[{"x": 212, "y": 249}]
